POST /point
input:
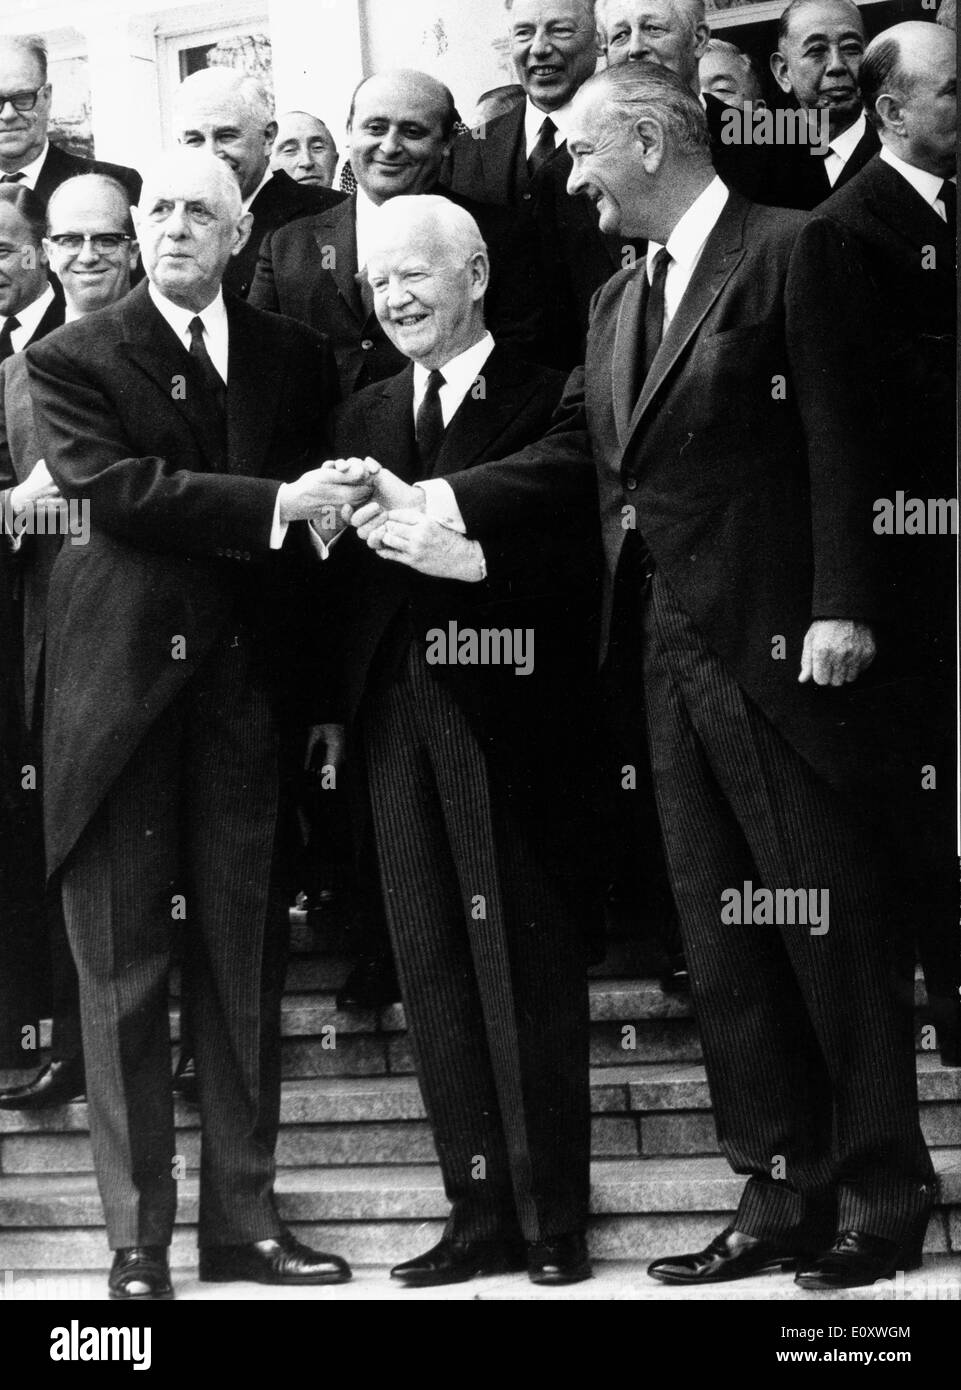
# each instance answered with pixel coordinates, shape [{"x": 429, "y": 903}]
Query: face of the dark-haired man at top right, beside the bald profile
[{"x": 820, "y": 60}]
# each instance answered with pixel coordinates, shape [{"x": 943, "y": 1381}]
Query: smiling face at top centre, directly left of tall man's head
[{"x": 554, "y": 49}]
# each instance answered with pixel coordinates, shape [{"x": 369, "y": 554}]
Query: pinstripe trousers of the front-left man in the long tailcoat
[{"x": 193, "y": 815}]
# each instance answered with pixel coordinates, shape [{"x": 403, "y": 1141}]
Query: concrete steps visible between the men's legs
[{"x": 358, "y": 1168}]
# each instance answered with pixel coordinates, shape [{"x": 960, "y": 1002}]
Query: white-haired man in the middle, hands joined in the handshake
[{"x": 478, "y": 822}]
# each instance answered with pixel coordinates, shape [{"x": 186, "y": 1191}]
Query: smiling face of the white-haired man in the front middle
[{"x": 428, "y": 293}]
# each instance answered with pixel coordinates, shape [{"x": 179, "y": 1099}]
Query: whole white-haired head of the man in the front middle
[{"x": 429, "y": 270}]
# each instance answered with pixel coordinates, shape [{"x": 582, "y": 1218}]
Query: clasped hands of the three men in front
[{"x": 386, "y": 512}]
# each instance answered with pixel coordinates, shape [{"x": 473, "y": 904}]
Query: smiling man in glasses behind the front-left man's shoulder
[{"x": 92, "y": 252}]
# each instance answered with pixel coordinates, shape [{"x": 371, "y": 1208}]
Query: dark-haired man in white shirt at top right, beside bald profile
[{"x": 820, "y": 51}]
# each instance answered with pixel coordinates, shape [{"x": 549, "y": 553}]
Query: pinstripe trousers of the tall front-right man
[{"x": 807, "y": 1045}]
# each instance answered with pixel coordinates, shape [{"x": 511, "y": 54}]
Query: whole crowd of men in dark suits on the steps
[{"x": 536, "y": 484}]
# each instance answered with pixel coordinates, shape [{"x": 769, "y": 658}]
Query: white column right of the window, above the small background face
[{"x": 319, "y": 58}]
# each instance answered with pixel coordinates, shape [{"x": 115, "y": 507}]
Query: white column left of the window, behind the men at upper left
[{"x": 124, "y": 97}]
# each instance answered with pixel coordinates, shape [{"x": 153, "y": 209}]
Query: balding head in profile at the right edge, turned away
[{"x": 909, "y": 81}]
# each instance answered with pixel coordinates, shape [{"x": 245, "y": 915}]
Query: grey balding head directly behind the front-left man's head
[{"x": 230, "y": 115}]
